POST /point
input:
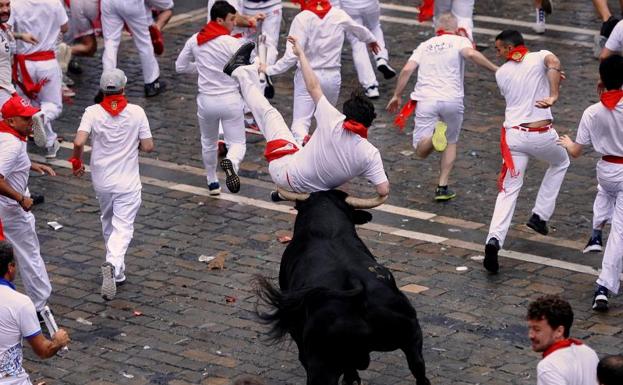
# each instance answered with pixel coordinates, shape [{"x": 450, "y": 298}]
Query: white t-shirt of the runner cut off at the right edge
[{"x": 602, "y": 128}]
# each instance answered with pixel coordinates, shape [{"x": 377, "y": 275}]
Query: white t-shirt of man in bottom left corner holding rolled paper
[{"x": 18, "y": 319}]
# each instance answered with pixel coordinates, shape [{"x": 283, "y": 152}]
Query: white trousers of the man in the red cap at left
[{"x": 19, "y": 229}]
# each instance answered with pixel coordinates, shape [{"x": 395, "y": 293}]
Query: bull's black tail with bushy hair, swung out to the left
[{"x": 288, "y": 306}]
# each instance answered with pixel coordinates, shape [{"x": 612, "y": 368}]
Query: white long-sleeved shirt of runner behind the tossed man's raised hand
[{"x": 321, "y": 39}]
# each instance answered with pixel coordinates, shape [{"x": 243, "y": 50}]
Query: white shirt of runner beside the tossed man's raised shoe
[{"x": 208, "y": 60}]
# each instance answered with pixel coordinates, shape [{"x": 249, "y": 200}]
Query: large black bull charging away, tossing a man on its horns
[{"x": 335, "y": 300}]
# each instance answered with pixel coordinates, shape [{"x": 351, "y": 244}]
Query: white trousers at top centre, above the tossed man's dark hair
[{"x": 369, "y": 17}]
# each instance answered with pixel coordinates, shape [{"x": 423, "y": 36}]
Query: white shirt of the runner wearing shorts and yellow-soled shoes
[{"x": 440, "y": 68}]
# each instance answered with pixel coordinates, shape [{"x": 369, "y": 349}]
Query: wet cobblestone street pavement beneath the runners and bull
[{"x": 171, "y": 323}]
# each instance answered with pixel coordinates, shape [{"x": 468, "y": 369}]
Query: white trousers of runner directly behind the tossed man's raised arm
[{"x": 304, "y": 106}]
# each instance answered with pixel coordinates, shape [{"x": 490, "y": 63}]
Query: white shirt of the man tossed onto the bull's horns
[{"x": 333, "y": 155}]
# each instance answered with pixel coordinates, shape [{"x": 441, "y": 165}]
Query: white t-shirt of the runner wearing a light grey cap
[{"x": 115, "y": 141}]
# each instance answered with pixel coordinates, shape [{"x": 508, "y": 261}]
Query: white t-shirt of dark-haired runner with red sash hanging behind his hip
[{"x": 522, "y": 84}]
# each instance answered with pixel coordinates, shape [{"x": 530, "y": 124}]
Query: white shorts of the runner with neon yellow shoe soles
[{"x": 429, "y": 112}]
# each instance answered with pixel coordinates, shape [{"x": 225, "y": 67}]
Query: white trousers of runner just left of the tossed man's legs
[{"x": 226, "y": 110}]
